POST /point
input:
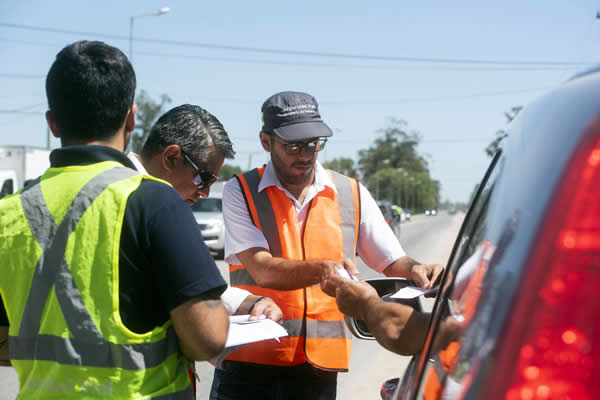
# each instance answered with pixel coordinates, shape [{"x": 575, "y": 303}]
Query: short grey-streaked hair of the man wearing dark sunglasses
[{"x": 193, "y": 129}]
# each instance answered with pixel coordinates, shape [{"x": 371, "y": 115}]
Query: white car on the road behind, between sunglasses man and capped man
[{"x": 209, "y": 216}]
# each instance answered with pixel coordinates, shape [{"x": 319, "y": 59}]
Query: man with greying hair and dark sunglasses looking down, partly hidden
[{"x": 191, "y": 135}]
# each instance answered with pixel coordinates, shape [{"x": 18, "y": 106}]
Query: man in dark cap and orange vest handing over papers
[{"x": 290, "y": 224}]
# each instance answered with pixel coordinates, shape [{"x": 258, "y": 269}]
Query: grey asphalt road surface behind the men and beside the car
[{"x": 426, "y": 239}]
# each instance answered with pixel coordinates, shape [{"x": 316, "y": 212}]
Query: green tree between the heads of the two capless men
[{"x": 148, "y": 111}]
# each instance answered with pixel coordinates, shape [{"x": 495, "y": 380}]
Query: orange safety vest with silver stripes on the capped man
[{"x": 315, "y": 326}]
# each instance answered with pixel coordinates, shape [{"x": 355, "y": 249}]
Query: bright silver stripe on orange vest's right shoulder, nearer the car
[{"x": 345, "y": 196}]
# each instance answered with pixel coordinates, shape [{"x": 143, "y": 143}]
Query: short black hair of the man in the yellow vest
[{"x": 90, "y": 88}]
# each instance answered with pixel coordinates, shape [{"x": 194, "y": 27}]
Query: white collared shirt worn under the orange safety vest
[{"x": 377, "y": 246}]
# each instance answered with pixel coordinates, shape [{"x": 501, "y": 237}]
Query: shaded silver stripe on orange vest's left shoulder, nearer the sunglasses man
[{"x": 266, "y": 216}]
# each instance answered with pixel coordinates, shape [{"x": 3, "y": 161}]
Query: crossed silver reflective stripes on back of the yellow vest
[{"x": 52, "y": 270}]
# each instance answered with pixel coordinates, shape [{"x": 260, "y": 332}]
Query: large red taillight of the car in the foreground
[{"x": 551, "y": 346}]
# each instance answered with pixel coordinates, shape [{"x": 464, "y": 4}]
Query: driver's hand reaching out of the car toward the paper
[{"x": 352, "y": 297}]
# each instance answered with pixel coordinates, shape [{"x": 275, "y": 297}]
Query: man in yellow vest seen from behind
[{"x": 95, "y": 274}]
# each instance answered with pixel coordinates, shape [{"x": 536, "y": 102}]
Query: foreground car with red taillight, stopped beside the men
[{"x": 524, "y": 273}]
